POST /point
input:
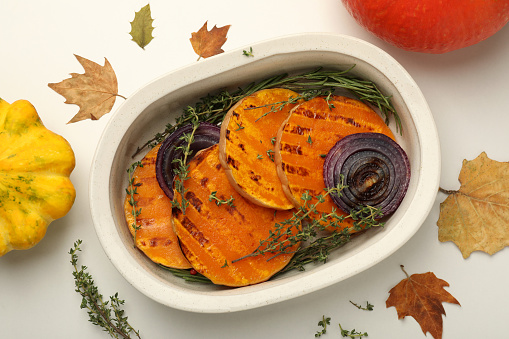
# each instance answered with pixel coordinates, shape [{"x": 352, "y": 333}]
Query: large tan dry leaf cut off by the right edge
[{"x": 476, "y": 217}]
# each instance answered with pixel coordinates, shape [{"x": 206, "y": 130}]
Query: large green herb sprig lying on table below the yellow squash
[{"x": 106, "y": 314}]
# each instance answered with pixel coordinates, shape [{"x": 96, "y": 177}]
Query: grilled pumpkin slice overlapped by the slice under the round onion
[{"x": 246, "y": 147}]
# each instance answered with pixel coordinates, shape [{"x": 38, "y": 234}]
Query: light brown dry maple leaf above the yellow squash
[{"x": 94, "y": 91}]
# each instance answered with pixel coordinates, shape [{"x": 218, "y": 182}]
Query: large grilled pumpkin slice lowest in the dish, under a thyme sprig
[{"x": 213, "y": 236}]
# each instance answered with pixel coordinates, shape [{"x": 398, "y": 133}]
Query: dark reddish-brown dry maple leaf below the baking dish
[{"x": 421, "y": 296}]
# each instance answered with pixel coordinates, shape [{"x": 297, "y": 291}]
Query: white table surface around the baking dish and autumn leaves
[{"x": 467, "y": 91}]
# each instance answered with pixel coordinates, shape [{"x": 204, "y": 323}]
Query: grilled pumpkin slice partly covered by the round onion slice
[{"x": 306, "y": 137}]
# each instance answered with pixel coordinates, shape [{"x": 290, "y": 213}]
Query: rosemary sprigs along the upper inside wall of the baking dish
[{"x": 213, "y": 108}]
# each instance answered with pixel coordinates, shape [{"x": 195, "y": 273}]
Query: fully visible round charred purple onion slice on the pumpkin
[{"x": 375, "y": 169}]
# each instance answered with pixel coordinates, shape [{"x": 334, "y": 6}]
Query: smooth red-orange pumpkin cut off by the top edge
[{"x": 430, "y": 26}]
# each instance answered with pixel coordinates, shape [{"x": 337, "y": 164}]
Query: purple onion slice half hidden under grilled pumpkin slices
[{"x": 205, "y": 136}]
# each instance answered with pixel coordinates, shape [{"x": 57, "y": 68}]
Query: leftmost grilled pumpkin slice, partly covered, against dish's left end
[{"x": 155, "y": 237}]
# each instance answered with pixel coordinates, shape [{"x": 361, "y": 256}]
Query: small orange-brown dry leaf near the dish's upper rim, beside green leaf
[{"x": 208, "y": 43}]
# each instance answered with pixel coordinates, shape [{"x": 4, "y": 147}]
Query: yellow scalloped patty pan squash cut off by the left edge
[{"x": 35, "y": 165}]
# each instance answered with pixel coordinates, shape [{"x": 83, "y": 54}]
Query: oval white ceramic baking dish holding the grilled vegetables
[{"x": 146, "y": 112}]
